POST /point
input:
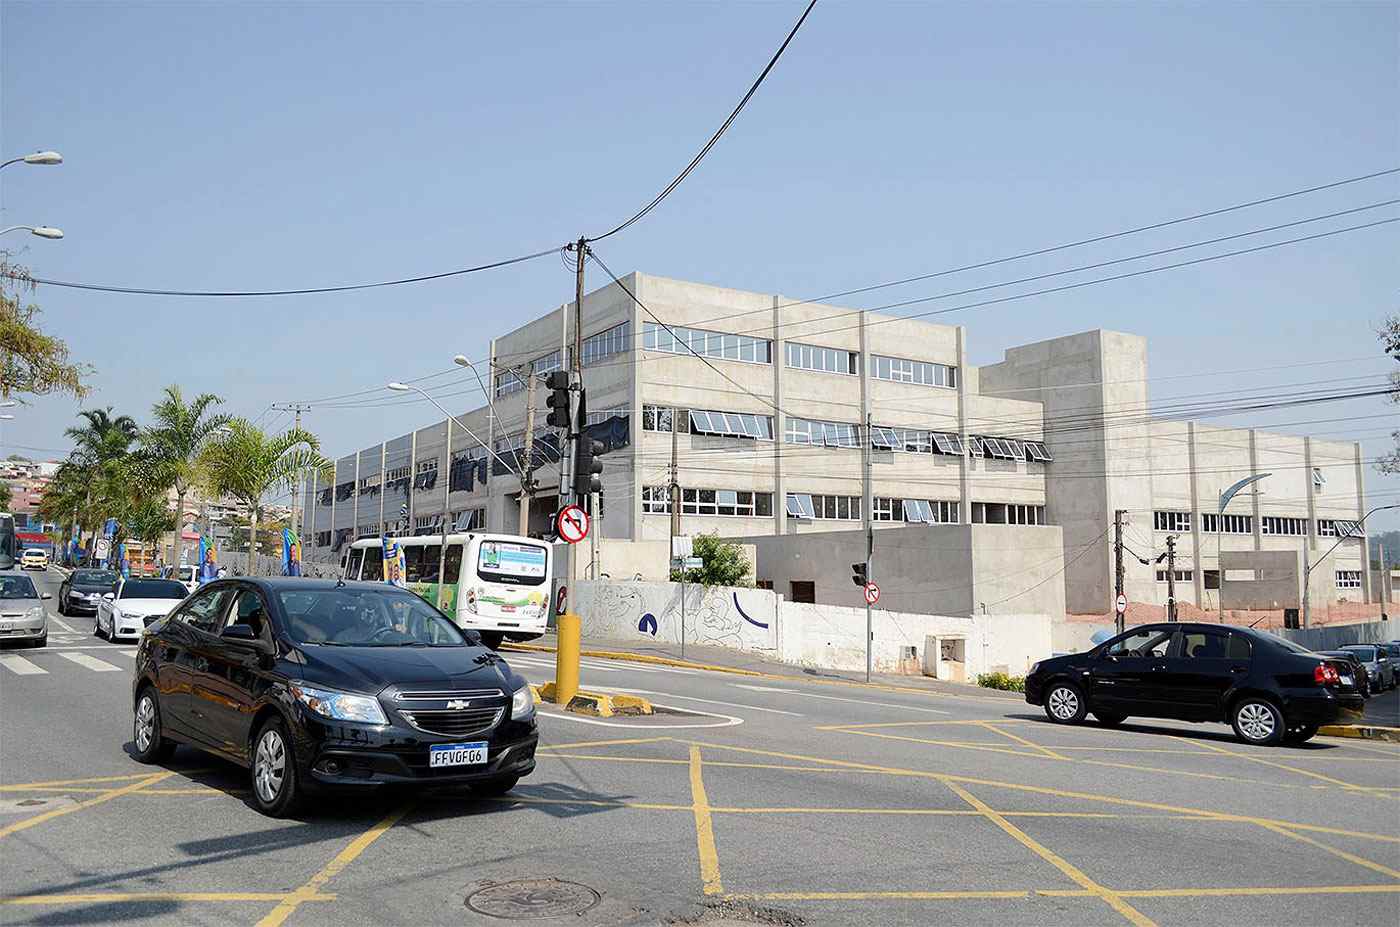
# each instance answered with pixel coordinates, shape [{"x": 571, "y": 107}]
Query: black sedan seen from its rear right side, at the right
[{"x": 1270, "y": 690}]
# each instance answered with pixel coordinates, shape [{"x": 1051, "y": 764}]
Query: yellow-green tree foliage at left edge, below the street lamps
[{"x": 31, "y": 362}]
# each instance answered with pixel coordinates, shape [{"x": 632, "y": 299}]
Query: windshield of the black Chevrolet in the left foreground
[{"x": 348, "y": 617}]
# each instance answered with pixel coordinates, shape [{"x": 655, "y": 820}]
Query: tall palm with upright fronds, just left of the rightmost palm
[{"x": 170, "y": 450}]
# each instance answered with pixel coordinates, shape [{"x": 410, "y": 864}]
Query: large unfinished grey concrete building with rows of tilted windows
[{"x": 766, "y": 401}]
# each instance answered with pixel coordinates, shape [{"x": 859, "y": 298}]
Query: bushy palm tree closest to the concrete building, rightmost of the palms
[{"x": 247, "y": 464}]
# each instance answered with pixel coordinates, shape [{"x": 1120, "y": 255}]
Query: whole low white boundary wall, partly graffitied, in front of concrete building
[{"x": 818, "y": 636}]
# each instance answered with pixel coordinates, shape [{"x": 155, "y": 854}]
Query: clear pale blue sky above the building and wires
[{"x": 265, "y": 146}]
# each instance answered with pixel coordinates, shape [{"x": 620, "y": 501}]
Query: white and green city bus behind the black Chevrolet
[{"x": 503, "y": 592}]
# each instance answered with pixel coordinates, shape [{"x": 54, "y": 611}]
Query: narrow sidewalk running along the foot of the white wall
[{"x": 745, "y": 663}]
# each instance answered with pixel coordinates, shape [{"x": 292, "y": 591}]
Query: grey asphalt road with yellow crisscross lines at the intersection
[{"x": 783, "y": 800}]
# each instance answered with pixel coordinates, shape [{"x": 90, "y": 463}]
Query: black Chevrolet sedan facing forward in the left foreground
[{"x": 318, "y": 685}]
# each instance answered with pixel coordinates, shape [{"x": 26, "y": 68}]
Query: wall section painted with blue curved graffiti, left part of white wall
[{"x": 717, "y": 617}]
